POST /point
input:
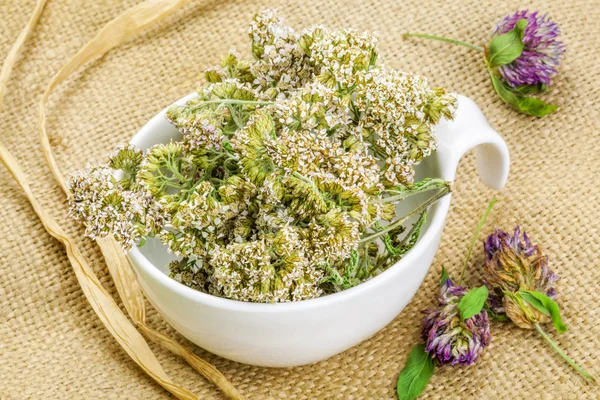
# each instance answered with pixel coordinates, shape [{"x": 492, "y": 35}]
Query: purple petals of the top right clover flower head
[{"x": 541, "y": 54}]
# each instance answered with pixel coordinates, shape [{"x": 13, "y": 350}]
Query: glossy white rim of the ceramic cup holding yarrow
[{"x": 437, "y": 214}]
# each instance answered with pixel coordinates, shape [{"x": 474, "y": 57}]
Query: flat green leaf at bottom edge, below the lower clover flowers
[{"x": 415, "y": 375}]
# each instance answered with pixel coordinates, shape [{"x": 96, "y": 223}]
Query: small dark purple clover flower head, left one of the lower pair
[{"x": 447, "y": 337}]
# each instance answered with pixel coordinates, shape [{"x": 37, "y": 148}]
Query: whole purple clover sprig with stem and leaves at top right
[{"x": 522, "y": 58}]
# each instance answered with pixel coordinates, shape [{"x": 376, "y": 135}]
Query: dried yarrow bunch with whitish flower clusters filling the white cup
[{"x": 285, "y": 183}]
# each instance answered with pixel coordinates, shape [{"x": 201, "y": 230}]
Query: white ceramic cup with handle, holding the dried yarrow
[{"x": 292, "y": 334}]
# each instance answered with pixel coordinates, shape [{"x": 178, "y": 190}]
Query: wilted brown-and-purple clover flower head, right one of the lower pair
[{"x": 513, "y": 263}]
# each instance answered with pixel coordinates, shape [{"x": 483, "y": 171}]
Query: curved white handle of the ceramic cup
[{"x": 470, "y": 129}]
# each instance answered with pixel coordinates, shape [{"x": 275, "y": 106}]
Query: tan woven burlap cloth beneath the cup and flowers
[{"x": 52, "y": 346}]
